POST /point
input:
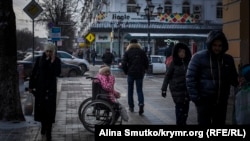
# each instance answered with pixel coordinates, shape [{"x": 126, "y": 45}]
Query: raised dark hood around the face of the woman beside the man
[{"x": 176, "y": 58}]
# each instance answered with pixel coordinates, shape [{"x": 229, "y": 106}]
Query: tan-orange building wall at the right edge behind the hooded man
[{"x": 236, "y": 28}]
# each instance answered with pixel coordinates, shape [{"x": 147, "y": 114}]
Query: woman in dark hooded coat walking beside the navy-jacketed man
[{"x": 175, "y": 78}]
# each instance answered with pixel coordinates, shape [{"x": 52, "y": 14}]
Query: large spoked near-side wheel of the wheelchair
[{"x": 97, "y": 112}]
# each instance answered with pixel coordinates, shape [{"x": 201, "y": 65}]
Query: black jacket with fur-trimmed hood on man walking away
[{"x": 135, "y": 61}]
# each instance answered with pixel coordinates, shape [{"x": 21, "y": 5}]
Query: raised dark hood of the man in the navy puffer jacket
[{"x": 217, "y": 35}]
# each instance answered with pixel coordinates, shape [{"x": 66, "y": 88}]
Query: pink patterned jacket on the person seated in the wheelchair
[{"x": 107, "y": 83}]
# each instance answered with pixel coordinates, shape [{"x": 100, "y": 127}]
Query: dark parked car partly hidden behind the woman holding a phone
[{"x": 67, "y": 70}]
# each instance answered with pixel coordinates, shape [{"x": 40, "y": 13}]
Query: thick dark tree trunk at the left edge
[{"x": 10, "y": 104}]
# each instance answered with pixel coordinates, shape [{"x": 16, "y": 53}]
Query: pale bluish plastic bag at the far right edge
[{"x": 242, "y": 105}]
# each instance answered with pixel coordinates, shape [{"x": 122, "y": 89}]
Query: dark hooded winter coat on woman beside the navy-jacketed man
[{"x": 175, "y": 77}]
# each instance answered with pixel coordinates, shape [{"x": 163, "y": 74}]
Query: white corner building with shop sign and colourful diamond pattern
[{"x": 114, "y": 23}]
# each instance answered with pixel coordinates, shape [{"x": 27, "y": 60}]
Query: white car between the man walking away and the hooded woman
[{"x": 158, "y": 64}]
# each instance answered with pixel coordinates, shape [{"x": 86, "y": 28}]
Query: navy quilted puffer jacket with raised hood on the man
[{"x": 209, "y": 76}]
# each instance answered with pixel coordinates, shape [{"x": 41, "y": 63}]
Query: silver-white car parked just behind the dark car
[{"x": 70, "y": 59}]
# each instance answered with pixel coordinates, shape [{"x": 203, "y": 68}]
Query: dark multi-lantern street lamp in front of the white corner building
[{"x": 149, "y": 13}]
